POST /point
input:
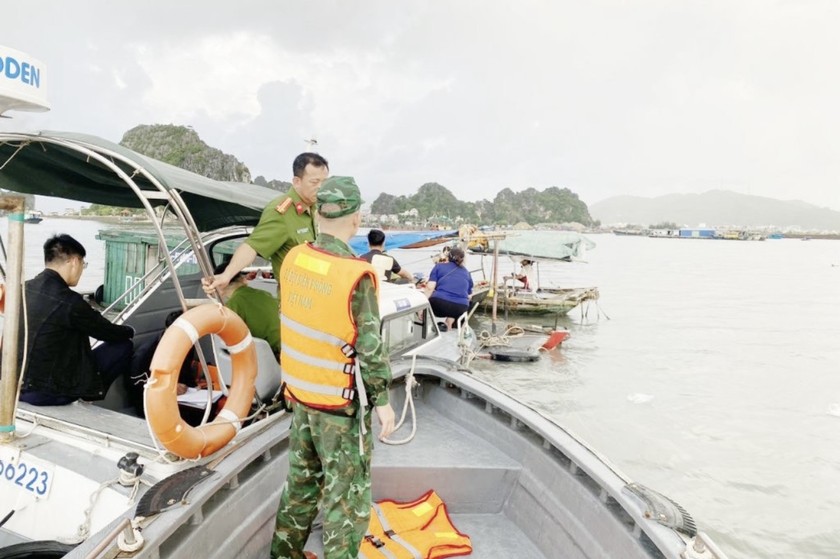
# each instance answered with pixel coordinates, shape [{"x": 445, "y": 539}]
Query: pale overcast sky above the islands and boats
[{"x": 603, "y": 97}]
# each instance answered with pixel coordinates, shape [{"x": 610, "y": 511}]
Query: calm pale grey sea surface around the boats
[{"x": 709, "y": 371}]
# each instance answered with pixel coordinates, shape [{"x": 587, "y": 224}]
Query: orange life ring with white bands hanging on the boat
[{"x": 161, "y": 391}]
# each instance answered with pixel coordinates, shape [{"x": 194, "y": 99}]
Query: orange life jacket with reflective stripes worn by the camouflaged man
[{"x": 317, "y": 329}]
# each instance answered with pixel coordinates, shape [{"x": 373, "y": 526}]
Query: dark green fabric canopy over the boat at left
[{"x": 59, "y": 164}]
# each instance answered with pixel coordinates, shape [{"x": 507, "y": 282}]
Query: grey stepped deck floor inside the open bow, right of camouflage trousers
[{"x": 472, "y": 477}]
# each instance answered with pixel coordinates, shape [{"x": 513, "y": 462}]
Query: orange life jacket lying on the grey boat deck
[{"x": 420, "y": 529}]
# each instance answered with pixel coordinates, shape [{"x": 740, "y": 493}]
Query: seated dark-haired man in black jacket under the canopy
[{"x": 60, "y": 365}]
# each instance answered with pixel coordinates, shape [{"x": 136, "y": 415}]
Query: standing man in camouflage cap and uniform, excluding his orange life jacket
[{"x": 329, "y": 459}]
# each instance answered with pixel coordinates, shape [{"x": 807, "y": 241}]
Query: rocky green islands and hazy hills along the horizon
[{"x": 434, "y": 205}]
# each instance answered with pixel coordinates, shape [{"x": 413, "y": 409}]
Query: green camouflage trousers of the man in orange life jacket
[{"x": 324, "y": 464}]
